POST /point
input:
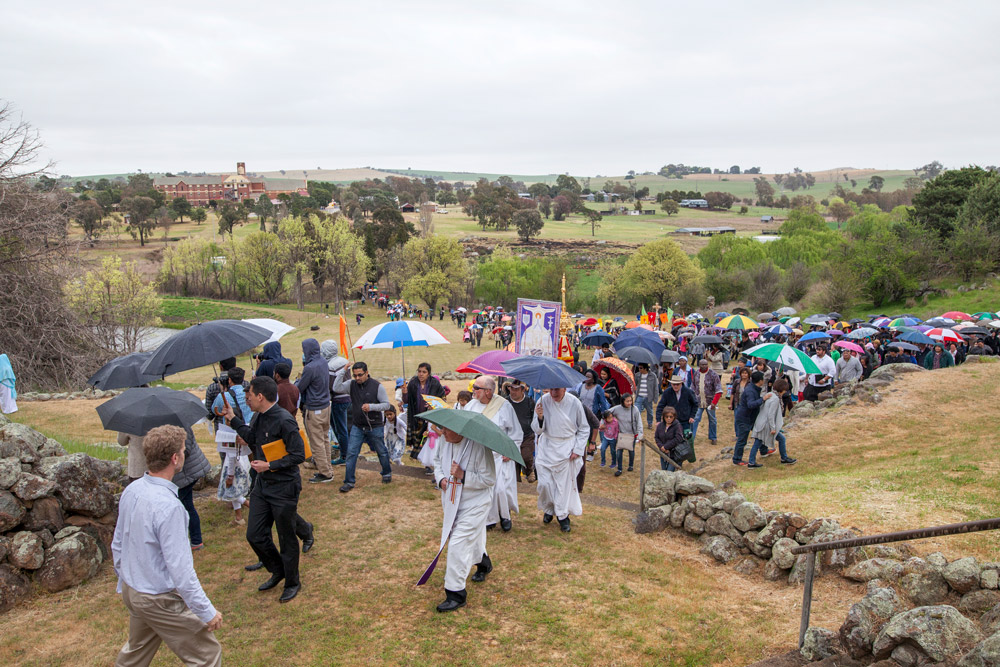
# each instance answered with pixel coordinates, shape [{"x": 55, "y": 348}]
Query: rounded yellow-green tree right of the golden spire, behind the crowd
[{"x": 655, "y": 273}]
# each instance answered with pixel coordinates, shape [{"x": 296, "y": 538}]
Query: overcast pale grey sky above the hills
[{"x": 514, "y": 87}]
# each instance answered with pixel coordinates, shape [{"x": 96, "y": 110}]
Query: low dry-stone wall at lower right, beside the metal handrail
[{"x": 917, "y": 610}]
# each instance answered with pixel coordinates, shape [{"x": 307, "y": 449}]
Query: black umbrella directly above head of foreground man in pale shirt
[{"x": 138, "y": 410}]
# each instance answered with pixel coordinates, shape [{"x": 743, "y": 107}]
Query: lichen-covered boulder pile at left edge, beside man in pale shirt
[{"x": 57, "y": 513}]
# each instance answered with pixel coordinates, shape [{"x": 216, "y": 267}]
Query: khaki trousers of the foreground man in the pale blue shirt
[{"x": 165, "y": 618}]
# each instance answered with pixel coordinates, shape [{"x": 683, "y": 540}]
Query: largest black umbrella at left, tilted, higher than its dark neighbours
[{"x": 203, "y": 344}]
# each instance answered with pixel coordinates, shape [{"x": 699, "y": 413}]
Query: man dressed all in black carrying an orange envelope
[{"x": 275, "y": 495}]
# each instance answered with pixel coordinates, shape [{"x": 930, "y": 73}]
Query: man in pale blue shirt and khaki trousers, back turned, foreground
[{"x": 152, "y": 558}]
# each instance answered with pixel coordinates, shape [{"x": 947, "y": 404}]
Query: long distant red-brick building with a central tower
[{"x": 200, "y": 190}]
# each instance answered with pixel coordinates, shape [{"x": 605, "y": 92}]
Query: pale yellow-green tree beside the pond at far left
[{"x": 116, "y": 303}]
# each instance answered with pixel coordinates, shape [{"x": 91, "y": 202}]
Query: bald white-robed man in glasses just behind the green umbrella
[{"x": 500, "y": 412}]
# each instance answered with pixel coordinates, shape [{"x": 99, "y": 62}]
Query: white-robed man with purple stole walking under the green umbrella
[{"x": 459, "y": 460}]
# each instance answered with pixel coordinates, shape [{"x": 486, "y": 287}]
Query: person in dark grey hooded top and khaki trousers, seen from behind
[{"x": 314, "y": 399}]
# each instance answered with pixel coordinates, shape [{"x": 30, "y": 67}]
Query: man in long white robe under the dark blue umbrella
[{"x": 561, "y": 434}]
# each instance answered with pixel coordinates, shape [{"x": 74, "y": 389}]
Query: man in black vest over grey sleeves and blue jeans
[{"x": 369, "y": 401}]
